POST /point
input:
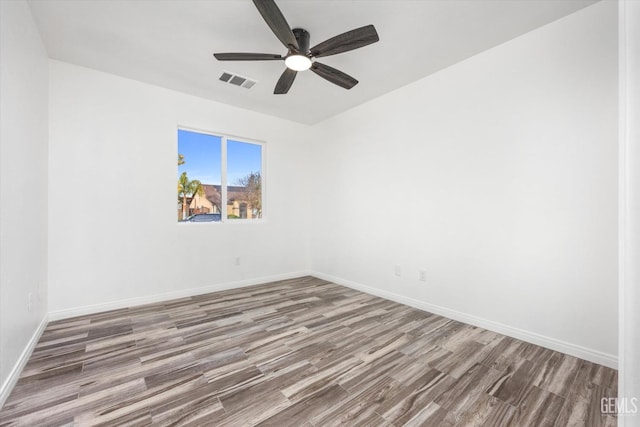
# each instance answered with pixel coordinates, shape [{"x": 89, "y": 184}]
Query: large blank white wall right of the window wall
[{"x": 498, "y": 176}]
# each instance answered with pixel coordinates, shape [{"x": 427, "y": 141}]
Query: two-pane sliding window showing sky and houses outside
[{"x": 219, "y": 178}]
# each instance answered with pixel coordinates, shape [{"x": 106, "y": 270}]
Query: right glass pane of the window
[{"x": 244, "y": 180}]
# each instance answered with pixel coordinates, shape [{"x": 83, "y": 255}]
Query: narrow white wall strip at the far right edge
[{"x": 629, "y": 368}]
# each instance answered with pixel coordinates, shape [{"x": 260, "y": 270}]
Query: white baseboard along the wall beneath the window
[{"x": 132, "y": 302}]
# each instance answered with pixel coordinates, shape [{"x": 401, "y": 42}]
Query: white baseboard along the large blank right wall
[{"x": 531, "y": 337}]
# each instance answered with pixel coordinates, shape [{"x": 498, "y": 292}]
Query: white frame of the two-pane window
[{"x": 224, "y": 138}]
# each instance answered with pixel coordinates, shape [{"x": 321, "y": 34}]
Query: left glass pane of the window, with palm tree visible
[{"x": 199, "y": 176}]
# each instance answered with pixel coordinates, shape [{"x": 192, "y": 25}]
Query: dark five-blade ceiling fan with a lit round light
[{"x": 299, "y": 56}]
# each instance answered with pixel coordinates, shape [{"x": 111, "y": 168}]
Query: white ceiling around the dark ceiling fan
[{"x": 170, "y": 43}]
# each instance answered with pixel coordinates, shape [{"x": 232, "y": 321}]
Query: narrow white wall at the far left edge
[{"x": 23, "y": 187}]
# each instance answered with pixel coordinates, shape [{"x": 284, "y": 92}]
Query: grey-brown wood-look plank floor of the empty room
[{"x": 301, "y": 352}]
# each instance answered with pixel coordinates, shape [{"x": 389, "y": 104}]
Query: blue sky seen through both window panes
[{"x": 202, "y": 155}]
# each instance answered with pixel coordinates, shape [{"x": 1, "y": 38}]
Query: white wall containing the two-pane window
[{"x": 113, "y": 238}]
